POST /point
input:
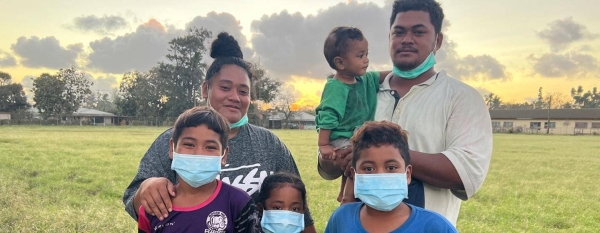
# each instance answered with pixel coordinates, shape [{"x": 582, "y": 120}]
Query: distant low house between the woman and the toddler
[{"x": 298, "y": 120}]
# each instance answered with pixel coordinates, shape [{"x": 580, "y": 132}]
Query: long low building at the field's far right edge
[{"x": 562, "y": 121}]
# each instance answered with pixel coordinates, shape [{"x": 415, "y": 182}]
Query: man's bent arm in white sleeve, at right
[{"x": 463, "y": 166}]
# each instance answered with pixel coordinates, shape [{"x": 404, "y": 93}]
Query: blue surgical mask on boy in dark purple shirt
[{"x": 196, "y": 170}]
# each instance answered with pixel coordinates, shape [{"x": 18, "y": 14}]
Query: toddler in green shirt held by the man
[{"x": 349, "y": 97}]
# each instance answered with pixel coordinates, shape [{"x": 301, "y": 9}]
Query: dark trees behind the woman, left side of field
[{"x": 166, "y": 90}]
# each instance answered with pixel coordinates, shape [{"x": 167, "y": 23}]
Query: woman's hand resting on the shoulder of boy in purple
[{"x": 155, "y": 195}]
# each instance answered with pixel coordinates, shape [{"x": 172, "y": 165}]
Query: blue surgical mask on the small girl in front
[{"x": 277, "y": 221}]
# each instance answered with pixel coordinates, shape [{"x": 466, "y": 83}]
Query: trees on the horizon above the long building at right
[{"x": 579, "y": 98}]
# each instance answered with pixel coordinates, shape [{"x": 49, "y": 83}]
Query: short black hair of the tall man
[{"x": 436, "y": 14}]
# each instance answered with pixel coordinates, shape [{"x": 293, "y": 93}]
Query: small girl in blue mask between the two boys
[{"x": 282, "y": 201}]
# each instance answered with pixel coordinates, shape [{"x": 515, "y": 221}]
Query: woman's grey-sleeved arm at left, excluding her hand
[{"x": 155, "y": 163}]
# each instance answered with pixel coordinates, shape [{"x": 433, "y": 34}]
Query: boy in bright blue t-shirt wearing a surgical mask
[{"x": 381, "y": 162}]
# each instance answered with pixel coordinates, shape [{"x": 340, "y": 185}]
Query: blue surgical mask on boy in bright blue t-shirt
[{"x": 383, "y": 192}]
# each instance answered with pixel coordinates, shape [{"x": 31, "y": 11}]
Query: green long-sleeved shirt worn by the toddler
[{"x": 344, "y": 107}]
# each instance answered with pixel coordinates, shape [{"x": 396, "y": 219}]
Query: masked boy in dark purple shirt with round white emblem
[{"x": 203, "y": 203}]
